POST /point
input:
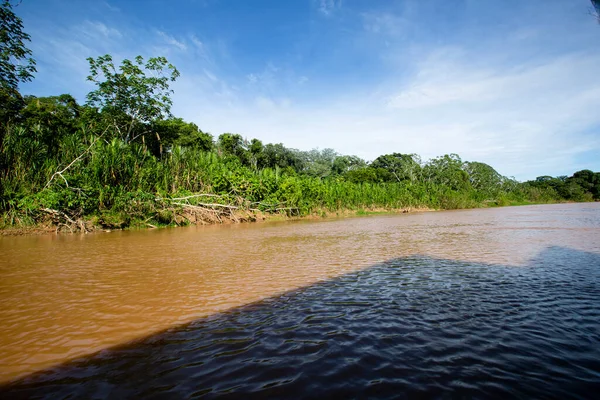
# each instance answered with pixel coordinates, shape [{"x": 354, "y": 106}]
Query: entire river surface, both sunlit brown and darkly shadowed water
[{"x": 478, "y": 303}]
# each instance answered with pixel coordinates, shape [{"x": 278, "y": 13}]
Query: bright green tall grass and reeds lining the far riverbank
[{"x": 110, "y": 177}]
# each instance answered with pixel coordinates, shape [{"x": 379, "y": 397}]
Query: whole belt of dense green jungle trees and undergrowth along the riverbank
[{"x": 122, "y": 159}]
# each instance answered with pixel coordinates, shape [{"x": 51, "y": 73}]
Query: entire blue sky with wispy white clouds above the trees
[{"x": 512, "y": 83}]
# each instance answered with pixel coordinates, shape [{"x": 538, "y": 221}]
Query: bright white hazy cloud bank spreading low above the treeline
[{"x": 524, "y": 120}]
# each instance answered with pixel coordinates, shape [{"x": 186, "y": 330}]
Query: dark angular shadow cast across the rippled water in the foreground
[{"x": 405, "y": 328}]
